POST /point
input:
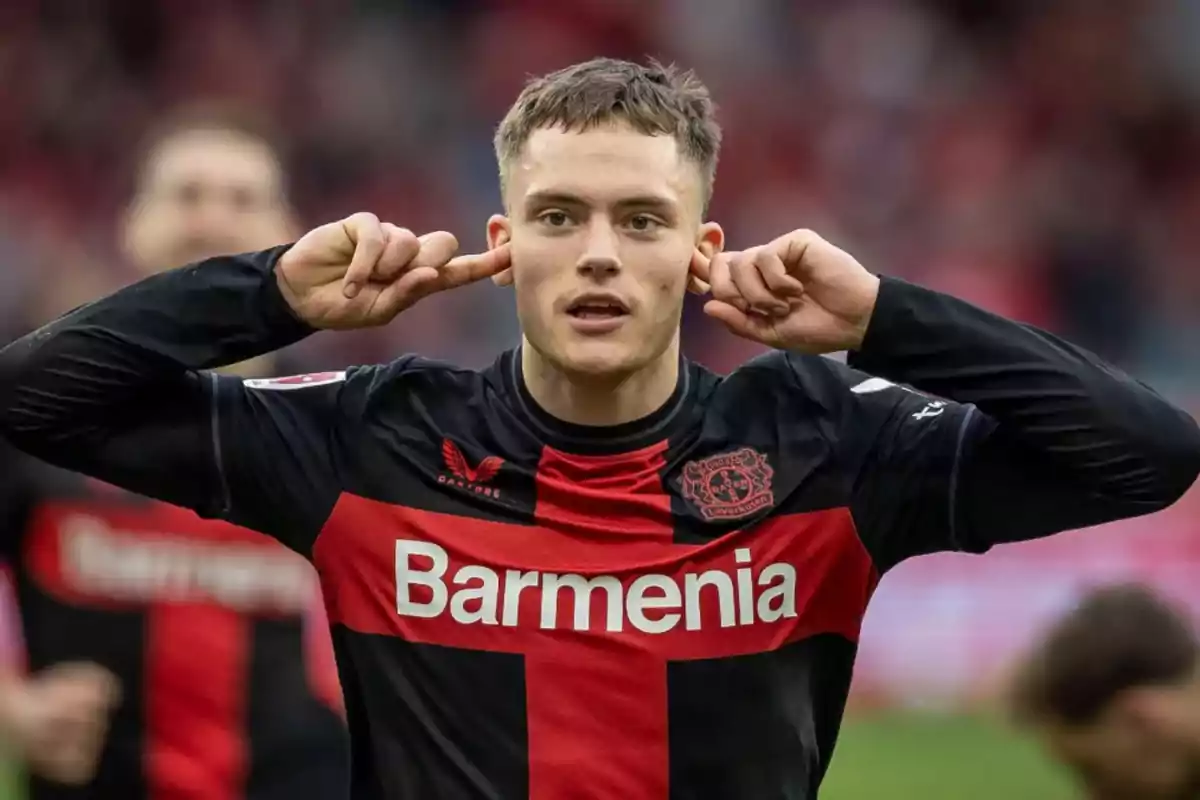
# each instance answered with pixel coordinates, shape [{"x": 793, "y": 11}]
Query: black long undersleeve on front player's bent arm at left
[{"x": 116, "y": 389}]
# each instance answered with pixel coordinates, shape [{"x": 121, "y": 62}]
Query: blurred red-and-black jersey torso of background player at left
[{"x": 224, "y": 694}]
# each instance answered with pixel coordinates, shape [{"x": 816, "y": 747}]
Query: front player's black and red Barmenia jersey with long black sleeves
[{"x": 527, "y": 609}]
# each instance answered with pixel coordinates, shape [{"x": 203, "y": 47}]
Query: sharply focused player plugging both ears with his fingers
[{"x": 596, "y": 569}]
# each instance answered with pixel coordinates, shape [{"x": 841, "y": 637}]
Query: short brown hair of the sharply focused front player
[{"x": 655, "y": 100}]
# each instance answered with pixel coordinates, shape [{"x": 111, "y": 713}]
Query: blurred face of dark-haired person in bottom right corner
[{"x": 1120, "y": 757}]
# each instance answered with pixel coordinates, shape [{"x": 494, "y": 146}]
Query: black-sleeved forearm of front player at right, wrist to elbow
[{"x": 1100, "y": 432}]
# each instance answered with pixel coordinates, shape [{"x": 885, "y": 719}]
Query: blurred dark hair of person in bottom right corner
[{"x": 1118, "y": 639}]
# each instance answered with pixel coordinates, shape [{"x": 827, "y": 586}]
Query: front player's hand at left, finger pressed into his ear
[{"x": 362, "y": 273}]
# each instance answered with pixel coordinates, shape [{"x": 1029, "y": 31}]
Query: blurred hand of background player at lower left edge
[{"x": 58, "y": 719}]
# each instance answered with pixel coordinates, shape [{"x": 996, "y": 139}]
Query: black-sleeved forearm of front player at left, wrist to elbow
[{"x": 119, "y": 351}]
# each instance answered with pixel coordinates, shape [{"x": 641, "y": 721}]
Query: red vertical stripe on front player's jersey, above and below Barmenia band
[{"x": 605, "y": 500}]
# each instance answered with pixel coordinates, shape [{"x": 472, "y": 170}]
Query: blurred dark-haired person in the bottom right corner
[{"x": 1113, "y": 690}]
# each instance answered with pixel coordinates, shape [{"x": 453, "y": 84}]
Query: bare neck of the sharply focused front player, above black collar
[{"x": 601, "y": 401}]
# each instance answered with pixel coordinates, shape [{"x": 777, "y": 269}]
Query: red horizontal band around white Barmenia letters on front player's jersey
[{"x": 358, "y": 568}]
